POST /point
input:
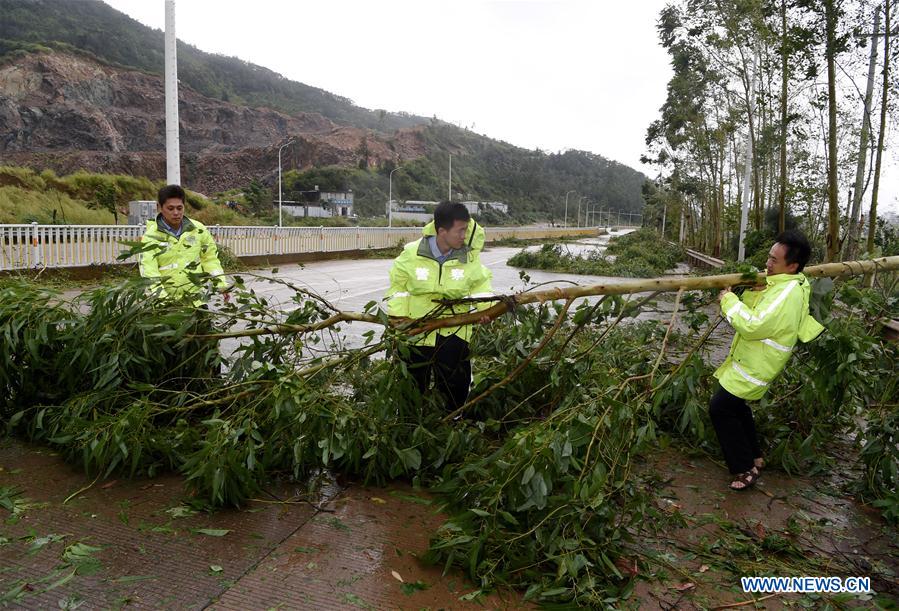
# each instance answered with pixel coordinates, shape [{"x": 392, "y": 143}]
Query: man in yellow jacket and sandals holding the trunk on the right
[{"x": 768, "y": 322}]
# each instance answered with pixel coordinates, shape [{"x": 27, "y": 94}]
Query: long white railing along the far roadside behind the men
[{"x": 35, "y": 246}]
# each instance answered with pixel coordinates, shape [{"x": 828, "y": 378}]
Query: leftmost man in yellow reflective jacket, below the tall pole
[{"x": 174, "y": 247}]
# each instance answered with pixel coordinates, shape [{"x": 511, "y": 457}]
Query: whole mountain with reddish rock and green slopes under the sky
[{"x": 67, "y": 107}]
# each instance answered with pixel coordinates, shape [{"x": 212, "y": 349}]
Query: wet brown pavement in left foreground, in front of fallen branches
[{"x": 148, "y": 550}]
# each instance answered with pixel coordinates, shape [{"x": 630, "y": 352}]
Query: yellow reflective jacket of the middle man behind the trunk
[{"x": 417, "y": 279}]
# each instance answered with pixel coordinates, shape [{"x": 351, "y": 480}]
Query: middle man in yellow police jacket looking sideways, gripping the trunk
[{"x": 444, "y": 263}]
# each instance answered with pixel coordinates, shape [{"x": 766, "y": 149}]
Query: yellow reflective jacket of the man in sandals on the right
[{"x": 768, "y": 325}]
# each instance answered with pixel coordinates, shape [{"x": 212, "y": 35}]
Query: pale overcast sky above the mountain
[{"x": 548, "y": 74}]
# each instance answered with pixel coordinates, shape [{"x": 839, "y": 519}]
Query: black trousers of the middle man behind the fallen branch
[{"x": 450, "y": 361}]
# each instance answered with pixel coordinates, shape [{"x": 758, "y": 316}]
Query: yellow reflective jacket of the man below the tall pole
[{"x": 172, "y": 259}]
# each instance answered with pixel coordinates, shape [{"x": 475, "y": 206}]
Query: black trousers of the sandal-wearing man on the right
[{"x": 735, "y": 428}]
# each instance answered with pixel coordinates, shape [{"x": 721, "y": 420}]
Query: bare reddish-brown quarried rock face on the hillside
[{"x": 68, "y": 112}]
